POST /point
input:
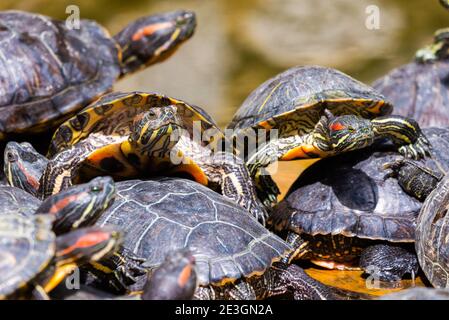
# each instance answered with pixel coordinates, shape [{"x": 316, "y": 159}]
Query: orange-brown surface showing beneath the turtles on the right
[{"x": 285, "y": 174}]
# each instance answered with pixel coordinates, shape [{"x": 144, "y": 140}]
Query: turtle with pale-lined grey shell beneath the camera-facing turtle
[{"x": 235, "y": 256}]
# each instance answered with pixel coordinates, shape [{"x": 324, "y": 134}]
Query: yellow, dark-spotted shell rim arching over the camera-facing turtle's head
[{"x": 113, "y": 114}]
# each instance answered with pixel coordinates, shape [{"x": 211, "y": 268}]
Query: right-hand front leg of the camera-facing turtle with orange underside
[{"x": 231, "y": 174}]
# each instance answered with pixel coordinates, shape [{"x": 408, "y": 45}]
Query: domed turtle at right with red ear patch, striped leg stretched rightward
[{"x": 314, "y": 111}]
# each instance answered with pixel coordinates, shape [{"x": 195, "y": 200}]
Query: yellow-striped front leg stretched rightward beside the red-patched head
[{"x": 405, "y": 132}]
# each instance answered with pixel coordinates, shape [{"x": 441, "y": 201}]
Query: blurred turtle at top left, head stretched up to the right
[{"x": 49, "y": 71}]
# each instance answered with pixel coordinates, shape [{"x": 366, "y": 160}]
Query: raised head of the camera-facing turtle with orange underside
[{"x": 154, "y": 131}]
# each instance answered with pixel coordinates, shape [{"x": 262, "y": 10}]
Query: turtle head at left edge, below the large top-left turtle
[{"x": 23, "y": 166}]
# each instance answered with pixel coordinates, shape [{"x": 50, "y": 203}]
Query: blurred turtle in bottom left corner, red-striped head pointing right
[{"x": 34, "y": 260}]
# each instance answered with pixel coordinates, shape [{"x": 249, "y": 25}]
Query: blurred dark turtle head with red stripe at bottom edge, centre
[{"x": 174, "y": 279}]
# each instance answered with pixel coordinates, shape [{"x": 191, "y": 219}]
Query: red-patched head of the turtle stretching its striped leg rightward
[{"x": 349, "y": 132}]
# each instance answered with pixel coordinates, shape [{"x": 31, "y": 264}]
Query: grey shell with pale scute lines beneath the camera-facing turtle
[{"x": 159, "y": 216}]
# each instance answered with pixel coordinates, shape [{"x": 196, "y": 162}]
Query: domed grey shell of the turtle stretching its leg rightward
[{"x": 301, "y": 94}]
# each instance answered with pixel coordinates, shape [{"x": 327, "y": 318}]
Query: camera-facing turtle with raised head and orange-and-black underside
[{"x": 128, "y": 135}]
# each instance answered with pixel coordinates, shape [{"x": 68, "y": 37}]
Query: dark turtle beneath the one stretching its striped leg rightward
[{"x": 348, "y": 212}]
